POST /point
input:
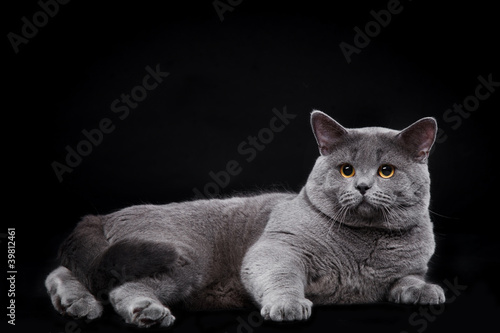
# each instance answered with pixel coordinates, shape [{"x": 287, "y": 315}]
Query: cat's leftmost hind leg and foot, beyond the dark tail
[{"x": 70, "y": 297}]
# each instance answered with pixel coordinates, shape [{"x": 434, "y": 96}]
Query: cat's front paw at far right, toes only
[{"x": 425, "y": 293}]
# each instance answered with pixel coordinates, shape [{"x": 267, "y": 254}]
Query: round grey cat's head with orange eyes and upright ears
[{"x": 371, "y": 176}]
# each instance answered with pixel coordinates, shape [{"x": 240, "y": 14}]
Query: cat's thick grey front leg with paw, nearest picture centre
[{"x": 275, "y": 277}]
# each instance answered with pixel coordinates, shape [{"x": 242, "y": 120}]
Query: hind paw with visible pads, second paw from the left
[{"x": 146, "y": 313}]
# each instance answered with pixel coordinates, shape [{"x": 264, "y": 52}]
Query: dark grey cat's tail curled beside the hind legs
[{"x": 101, "y": 266}]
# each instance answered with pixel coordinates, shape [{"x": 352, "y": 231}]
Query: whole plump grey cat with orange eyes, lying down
[{"x": 359, "y": 231}]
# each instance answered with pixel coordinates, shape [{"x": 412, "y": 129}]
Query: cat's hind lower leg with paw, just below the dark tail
[{"x": 138, "y": 303}]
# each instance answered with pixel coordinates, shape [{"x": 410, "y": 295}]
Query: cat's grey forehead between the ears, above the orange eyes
[{"x": 369, "y": 145}]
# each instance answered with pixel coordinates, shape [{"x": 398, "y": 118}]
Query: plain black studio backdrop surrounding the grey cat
[{"x": 113, "y": 104}]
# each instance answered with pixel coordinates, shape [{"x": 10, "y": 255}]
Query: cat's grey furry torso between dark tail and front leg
[{"x": 213, "y": 235}]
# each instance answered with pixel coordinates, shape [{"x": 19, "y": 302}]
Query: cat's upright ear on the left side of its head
[{"x": 327, "y": 131}]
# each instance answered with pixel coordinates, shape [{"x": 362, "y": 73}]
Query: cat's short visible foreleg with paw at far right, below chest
[{"x": 413, "y": 289}]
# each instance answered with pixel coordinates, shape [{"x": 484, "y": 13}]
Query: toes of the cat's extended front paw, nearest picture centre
[{"x": 287, "y": 310}]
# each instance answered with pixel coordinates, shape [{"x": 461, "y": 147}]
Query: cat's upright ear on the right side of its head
[{"x": 419, "y": 137}]
